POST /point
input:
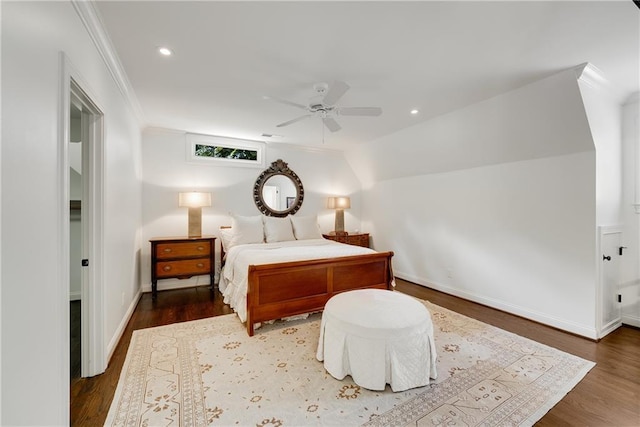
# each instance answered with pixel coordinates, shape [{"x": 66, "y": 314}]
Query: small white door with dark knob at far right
[{"x": 610, "y": 244}]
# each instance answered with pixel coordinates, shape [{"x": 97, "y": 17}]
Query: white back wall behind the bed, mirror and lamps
[{"x": 166, "y": 172}]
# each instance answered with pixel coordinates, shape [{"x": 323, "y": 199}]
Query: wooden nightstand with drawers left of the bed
[{"x": 181, "y": 258}]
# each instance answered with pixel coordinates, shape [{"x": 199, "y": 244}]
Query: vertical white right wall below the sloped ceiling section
[{"x": 516, "y": 236}]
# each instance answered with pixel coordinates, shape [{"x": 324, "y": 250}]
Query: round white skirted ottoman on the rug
[{"x": 378, "y": 337}]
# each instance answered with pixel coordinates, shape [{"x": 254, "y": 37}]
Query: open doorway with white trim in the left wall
[{"x": 82, "y": 182}]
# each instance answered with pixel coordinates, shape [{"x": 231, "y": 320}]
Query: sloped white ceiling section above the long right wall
[{"x": 543, "y": 119}]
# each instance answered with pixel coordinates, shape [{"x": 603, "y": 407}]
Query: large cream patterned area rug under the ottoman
[{"x": 210, "y": 372}]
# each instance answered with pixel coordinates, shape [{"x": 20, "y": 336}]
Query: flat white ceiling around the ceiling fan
[{"x": 432, "y": 56}]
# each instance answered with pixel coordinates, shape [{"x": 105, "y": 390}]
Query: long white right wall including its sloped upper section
[{"x": 511, "y": 222}]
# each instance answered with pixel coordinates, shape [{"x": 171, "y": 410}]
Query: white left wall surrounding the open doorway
[{"x": 35, "y": 331}]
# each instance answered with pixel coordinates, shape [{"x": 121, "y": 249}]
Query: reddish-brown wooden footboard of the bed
[{"x": 287, "y": 289}]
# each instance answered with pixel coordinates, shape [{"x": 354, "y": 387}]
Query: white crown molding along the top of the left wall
[{"x": 90, "y": 18}]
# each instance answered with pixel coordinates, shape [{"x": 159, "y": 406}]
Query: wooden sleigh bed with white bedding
[{"x": 285, "y": 278}]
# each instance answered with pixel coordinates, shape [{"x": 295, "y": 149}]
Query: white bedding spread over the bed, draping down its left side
[{"x": 234, "y": 275}]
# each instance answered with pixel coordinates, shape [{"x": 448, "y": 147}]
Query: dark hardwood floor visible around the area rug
[{"x": 608, "y": 396}]
